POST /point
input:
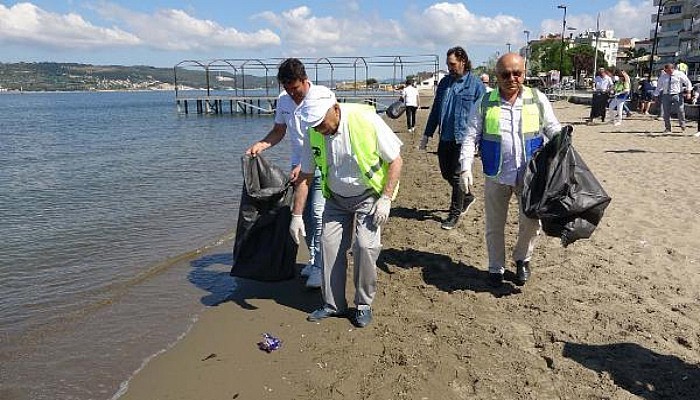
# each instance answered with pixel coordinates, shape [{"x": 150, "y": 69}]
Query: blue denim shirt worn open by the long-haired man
[{"x": 454, "y": 99}]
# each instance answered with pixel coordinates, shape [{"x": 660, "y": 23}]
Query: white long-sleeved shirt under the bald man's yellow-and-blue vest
[{"x": 512, "y": 149}]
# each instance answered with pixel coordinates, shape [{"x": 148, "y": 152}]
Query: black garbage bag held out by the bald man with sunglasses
[{"x": 562, "y": 192}]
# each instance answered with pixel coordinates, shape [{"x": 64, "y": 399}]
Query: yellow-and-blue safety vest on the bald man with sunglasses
[{"x": 531, "y": 120}]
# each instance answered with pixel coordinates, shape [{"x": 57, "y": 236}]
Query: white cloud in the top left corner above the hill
[{"x": 27, "y": 24}]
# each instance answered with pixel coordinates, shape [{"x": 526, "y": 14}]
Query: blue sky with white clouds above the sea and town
[{"x": 163, "y": 32}]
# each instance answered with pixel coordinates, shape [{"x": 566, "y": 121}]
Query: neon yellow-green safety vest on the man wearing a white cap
[{"x": 363, "y": 142}]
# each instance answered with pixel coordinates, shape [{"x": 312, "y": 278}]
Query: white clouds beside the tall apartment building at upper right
[{"x": 625, "y": 18}]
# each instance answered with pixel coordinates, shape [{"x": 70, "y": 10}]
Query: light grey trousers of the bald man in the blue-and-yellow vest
[{"x": 496, "y": 199}]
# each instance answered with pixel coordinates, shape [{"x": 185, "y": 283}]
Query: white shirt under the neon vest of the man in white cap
[{"x": 344, "y": 176}]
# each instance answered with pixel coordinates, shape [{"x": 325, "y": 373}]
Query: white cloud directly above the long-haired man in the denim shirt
[{"x": 448, "y": 24}]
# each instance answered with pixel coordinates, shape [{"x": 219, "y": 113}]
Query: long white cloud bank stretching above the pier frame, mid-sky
[{"x": 439, "y": 26}]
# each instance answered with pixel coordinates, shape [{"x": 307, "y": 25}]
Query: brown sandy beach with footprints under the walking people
[{"x": 613, "y": 317}]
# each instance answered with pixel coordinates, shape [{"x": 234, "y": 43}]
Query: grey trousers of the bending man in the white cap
[{"x": 343, "y": 217}]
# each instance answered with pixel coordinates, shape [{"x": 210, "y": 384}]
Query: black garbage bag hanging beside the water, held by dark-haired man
[{"x": 264, "y": 249}]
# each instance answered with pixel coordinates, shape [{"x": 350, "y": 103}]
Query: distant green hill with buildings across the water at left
[{"x": 49, "y": 76}]
